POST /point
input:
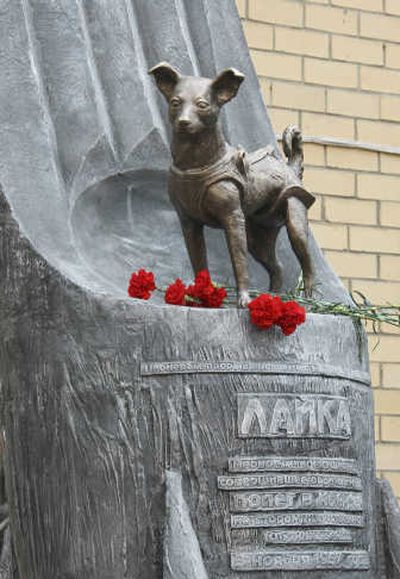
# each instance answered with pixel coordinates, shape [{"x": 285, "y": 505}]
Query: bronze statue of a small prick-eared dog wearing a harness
[{"x": 251, "y": 196}]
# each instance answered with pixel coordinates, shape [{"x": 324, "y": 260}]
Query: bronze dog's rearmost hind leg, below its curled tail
[{"x": 297, "y": 228}]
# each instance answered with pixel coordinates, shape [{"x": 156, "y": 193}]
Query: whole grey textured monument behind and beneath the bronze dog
[{"x": 145, "y": 440}]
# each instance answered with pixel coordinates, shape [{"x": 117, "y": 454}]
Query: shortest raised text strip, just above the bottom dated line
[{"x": 304, "y": 536}]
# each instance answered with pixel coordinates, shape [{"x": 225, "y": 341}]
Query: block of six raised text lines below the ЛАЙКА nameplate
[{"x": 300, "y": 491}]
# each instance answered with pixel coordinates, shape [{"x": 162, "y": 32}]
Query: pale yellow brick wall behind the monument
[{"x": 333, "y": 68}]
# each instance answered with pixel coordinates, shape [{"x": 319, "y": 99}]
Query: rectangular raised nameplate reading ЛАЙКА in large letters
[{"x": 293, "y": 416}]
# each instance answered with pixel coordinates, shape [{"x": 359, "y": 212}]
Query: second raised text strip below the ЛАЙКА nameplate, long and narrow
[{"x": 285, "y": 480}]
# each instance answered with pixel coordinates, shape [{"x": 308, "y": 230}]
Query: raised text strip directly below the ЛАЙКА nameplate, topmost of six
[{"x": 292, "y": 463}]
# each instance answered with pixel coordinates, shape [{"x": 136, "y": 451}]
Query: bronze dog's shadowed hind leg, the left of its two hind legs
[{"x": 262, "y": 246}]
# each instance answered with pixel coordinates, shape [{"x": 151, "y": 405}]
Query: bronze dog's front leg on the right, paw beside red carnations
[{"x": 235, "y": 231}]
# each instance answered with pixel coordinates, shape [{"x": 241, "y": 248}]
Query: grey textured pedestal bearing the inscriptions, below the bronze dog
[{"x": 158, "y": 441}]
